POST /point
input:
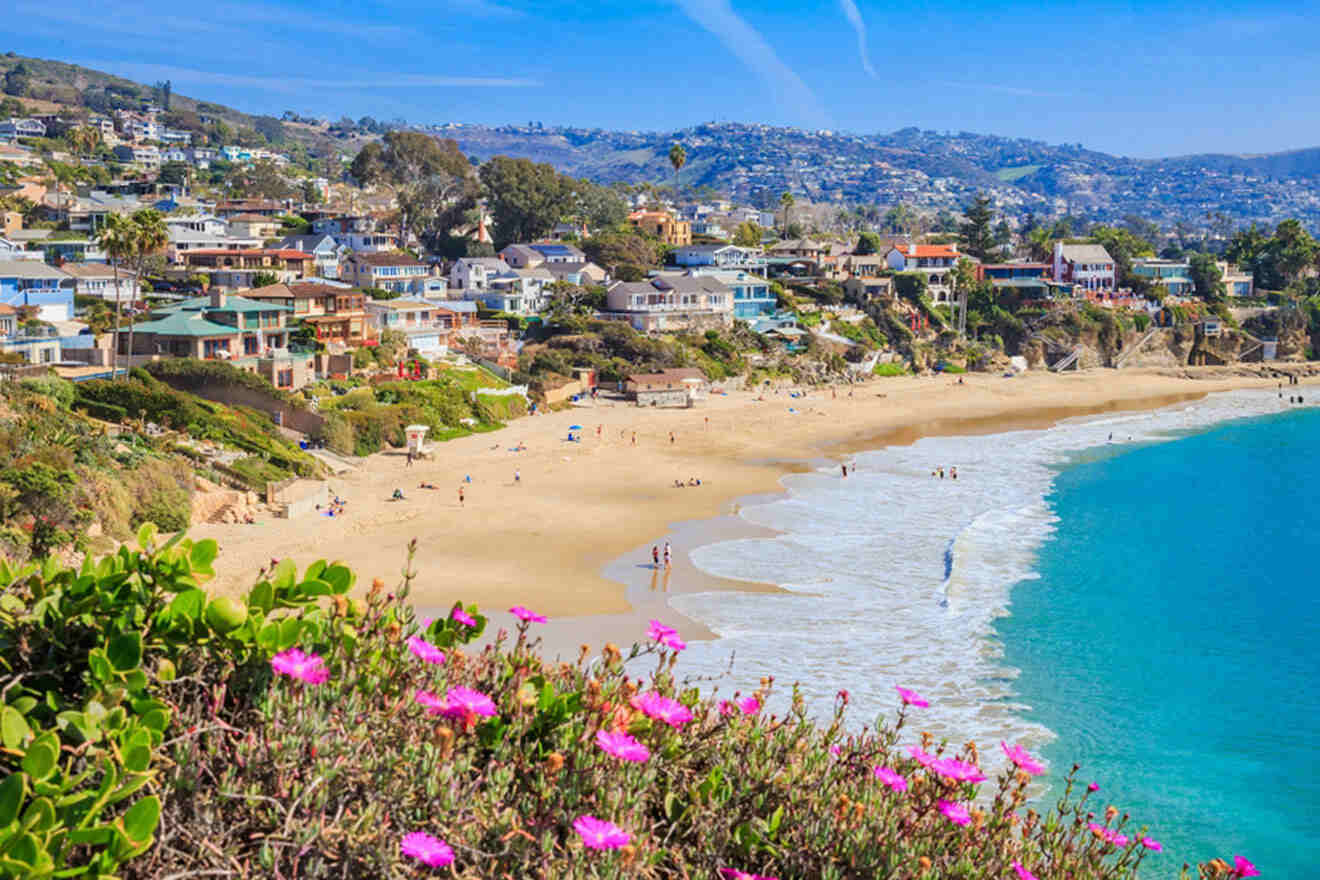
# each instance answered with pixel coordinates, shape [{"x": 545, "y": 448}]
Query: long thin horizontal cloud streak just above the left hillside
[{"x": 296, "y": 85}]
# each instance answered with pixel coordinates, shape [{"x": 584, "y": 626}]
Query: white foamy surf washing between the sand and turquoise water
[{"x": 896, "y": 577}]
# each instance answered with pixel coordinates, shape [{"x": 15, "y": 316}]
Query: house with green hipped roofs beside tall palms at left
[{"x": 217, "y": 327}]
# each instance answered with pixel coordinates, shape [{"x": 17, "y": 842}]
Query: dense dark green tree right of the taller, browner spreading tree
[{"x": 526, "y": 200}]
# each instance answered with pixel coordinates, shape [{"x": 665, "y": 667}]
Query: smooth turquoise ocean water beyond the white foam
[{"x": 1173, "y": 638}]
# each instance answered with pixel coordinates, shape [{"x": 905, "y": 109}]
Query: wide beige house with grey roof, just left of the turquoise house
[{"x": 671, "y": 303}]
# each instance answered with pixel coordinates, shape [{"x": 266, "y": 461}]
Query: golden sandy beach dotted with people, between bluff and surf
[{"x": 572, "y": 538}]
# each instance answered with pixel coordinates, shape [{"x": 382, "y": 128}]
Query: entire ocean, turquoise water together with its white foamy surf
[{"x": 1125, "y": 592}]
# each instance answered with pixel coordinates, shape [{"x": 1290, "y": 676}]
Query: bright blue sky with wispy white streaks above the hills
[{"x": 1137, "y": 80}]
